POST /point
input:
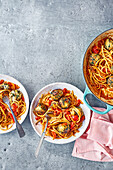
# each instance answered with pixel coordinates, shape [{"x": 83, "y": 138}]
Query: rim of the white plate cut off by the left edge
[{"x": 27, "y": 103}]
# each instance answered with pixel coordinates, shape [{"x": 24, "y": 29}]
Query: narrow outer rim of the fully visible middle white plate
[{"x": 30, "y": 112}]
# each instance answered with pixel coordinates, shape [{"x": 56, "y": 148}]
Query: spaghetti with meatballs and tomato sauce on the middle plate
[{"x": 64, "y": 111}]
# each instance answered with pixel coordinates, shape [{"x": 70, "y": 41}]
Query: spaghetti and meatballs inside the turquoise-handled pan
[{"x": 100, "y": 69}]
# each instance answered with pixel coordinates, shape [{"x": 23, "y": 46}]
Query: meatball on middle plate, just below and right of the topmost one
[{"x": 64, "y": 102}]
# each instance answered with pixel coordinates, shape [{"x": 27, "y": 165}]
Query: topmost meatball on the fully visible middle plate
[{"x": 57, "y": 94}]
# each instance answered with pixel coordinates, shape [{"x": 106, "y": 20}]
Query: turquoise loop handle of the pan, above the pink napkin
[{"x": 87, "y": 91}]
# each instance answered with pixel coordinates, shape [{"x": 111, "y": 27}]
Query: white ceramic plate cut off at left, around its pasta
[{"x": 22, "y": 89}]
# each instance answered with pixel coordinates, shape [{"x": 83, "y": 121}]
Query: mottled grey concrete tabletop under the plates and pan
[{"x": 44, "y": 41}]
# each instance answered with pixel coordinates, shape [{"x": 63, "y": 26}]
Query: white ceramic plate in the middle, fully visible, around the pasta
[{"x": 78, "y": 93}]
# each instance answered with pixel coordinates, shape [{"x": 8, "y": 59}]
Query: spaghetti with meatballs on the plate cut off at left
[{"x": 17, "y": 103}]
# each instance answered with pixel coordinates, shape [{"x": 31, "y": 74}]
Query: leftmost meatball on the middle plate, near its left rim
[{"x": 41, "y": 108}]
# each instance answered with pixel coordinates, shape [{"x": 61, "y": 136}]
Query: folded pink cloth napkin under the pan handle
[{"x": 96, "y": 143}]
